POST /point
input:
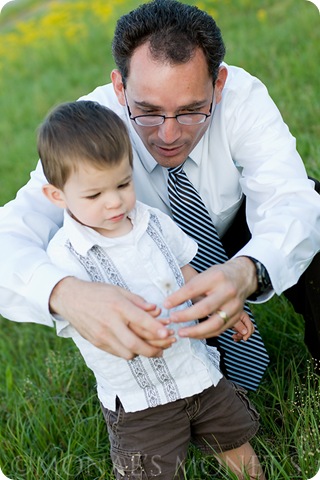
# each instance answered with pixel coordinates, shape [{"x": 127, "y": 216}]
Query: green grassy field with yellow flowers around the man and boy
[{"x": 50, "y": 422}]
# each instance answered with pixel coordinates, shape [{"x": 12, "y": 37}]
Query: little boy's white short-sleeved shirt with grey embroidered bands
[{"x": 148, "y": 265}]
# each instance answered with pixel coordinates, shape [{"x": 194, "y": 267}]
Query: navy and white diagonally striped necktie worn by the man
[{"x": 245, "y": 362}]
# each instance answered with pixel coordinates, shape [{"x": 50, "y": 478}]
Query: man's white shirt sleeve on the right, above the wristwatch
[{"x": 283, "y": 209}]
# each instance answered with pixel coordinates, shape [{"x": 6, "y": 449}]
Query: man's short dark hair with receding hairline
[{"x": 173, "y": 29}]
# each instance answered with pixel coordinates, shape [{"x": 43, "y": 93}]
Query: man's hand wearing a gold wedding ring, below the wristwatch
[{"x": 224, "y": 288}]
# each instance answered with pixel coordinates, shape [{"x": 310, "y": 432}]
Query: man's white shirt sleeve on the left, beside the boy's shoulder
[{"x": 27, "y": 276}]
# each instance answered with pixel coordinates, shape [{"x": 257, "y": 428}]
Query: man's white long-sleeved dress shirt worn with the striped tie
[{"x": 247, "y": 149}]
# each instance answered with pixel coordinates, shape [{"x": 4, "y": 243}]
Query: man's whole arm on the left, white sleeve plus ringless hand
[{"x": 29, "y": 282}]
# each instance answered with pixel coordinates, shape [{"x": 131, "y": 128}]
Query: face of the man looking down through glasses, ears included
[{"x": 157, "y": 88}]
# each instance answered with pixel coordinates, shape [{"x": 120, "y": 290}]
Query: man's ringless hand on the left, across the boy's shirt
[{"x": 111, "y": 318}]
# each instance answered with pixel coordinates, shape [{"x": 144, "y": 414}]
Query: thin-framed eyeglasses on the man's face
[{"x": 193, "y": 118}]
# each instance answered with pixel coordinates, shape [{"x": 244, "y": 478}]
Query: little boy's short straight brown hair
[{"x": 78, "y": 132}]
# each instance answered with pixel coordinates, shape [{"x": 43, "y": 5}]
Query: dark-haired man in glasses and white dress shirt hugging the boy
[{"x": 183, "y": 106}]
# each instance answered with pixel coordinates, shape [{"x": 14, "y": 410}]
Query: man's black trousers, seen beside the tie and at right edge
[{"x": 304, "y": 296}]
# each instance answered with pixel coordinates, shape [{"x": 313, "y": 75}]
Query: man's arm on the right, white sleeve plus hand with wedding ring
[{"x": 283, "y": 210}]
